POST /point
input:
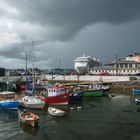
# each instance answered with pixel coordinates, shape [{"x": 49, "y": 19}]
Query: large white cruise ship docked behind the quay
[{"x": 83, "y": 63}]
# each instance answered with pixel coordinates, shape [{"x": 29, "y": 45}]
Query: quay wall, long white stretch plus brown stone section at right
[{"x": 118, "y": 82}]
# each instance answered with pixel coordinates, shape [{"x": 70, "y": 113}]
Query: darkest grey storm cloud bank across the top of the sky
[{"x": 68, "y": 17}]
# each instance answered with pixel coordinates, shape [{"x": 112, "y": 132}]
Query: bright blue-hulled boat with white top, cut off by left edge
[{"x": 8, "y": 100}]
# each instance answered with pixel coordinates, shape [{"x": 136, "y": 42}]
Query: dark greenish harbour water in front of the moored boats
[{"x": 94, "y": 118}]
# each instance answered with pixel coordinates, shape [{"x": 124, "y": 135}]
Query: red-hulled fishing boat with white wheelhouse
[{"x": 56, "y": 96}]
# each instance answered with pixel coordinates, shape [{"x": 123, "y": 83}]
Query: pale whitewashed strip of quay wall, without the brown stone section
[{"x": 73, "y": 78}]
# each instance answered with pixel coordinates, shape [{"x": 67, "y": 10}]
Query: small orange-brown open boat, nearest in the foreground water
[{"x": 26, "y": 117}]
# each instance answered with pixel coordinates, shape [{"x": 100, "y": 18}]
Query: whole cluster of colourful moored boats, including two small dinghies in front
[{"x": 51, "y": 98}]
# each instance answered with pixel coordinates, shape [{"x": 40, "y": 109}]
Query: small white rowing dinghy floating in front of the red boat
[{"x": 53, "y": 111}]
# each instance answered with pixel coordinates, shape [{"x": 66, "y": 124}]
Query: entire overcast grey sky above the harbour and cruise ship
[{"x": 65, "y": 29}]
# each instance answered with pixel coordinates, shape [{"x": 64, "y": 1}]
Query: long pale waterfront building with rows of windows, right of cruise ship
[{"x": 130, "y": 65}]
